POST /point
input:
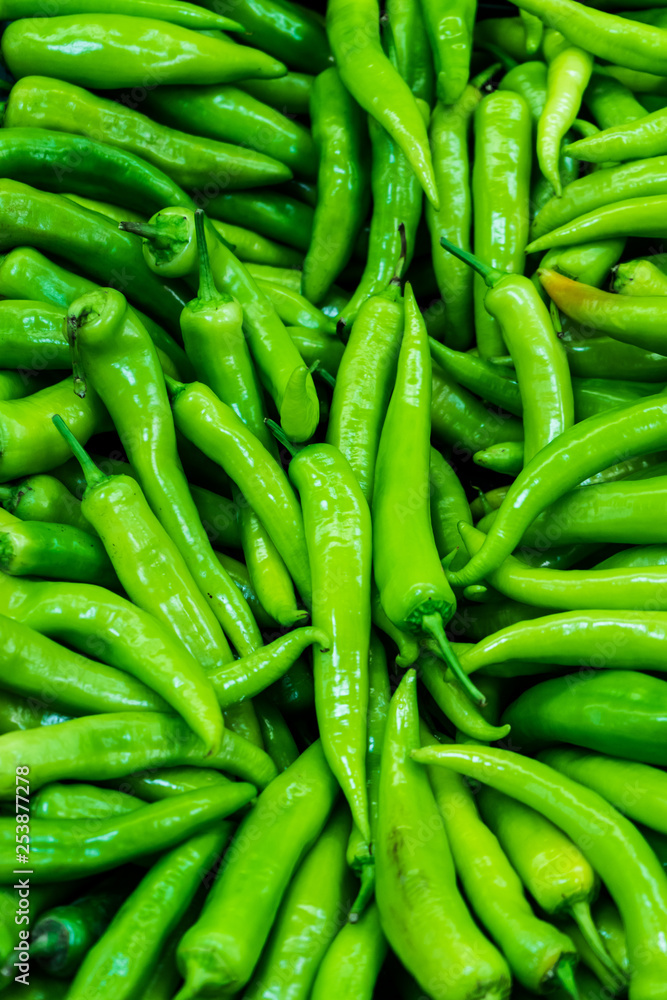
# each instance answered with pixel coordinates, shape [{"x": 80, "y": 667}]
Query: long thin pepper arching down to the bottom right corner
[{"x": 624, "y": 861}]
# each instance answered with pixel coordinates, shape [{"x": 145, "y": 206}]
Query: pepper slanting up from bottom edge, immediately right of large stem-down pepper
[{"x": 311, "y": 913}]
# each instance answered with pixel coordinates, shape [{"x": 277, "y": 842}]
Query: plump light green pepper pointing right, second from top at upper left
[{"x": 132, "y": 49}]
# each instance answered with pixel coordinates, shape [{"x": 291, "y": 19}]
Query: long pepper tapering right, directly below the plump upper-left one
[{"x": 189, "y": 161}]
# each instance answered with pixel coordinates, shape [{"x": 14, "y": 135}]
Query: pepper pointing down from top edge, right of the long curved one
[{"x": 450, "y": 30}]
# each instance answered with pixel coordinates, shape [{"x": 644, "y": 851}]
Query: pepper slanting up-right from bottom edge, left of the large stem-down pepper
[{"x": 123, "y": 958}]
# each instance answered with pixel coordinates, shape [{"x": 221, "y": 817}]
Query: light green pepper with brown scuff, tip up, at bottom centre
[{"x": 422, "y": 913}]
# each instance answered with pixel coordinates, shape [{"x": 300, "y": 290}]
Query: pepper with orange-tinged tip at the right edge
[{"x": 637, "y": 321}]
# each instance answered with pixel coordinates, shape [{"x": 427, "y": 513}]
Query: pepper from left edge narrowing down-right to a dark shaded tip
[{"x": 87, "y": 240}]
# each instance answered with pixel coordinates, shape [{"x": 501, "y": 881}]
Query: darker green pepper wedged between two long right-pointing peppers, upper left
[{"x": 229, "y": 115}]
